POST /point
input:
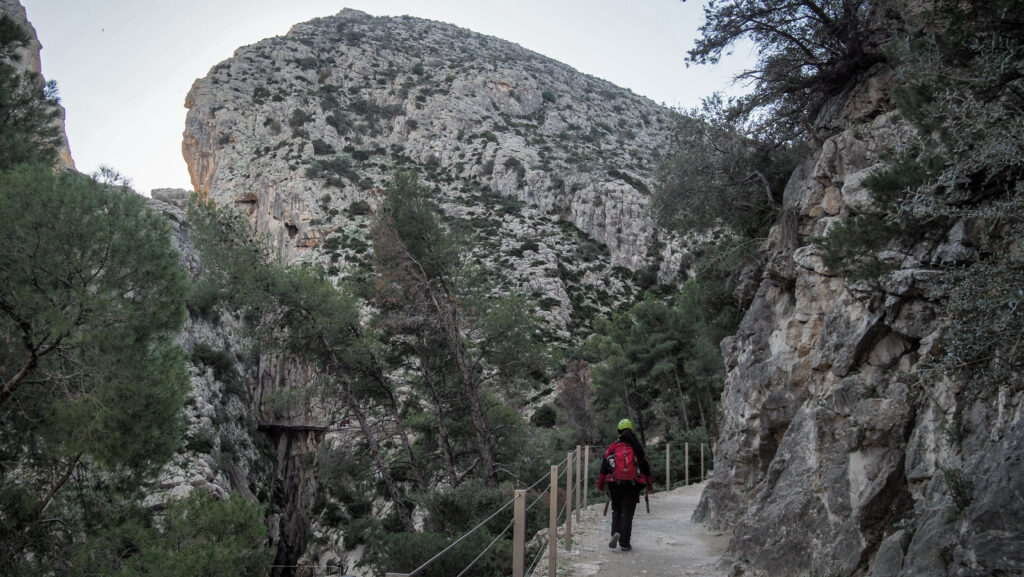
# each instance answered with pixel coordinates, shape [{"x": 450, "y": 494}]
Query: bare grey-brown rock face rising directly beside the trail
[{"x": 836, "y": 456}]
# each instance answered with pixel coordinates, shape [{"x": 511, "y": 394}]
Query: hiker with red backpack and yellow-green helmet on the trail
[{"x": 626, "y": 472}]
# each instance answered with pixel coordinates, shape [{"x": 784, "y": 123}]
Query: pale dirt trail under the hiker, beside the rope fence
[{"x": 666, "y": 544}]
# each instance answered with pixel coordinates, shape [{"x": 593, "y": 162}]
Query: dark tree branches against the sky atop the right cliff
[{"x": 808, "y": 53}]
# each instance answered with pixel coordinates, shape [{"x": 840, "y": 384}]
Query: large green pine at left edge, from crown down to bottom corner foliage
[{"x": 92, "y": 298}]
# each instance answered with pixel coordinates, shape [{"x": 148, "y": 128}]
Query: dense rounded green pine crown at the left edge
[{"x": 93, "y": 296}]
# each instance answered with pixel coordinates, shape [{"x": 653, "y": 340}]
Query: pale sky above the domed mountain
[{"x": 123, "y": 67}]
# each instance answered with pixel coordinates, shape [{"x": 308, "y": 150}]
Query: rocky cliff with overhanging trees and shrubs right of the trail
[{"x": 892, "y": 279}]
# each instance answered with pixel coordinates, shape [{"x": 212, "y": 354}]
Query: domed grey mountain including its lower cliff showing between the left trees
[{"x": 544, "y": 173}]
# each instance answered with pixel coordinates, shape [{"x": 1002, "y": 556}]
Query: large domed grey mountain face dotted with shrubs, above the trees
[{"x": 302, "y": 129}]
